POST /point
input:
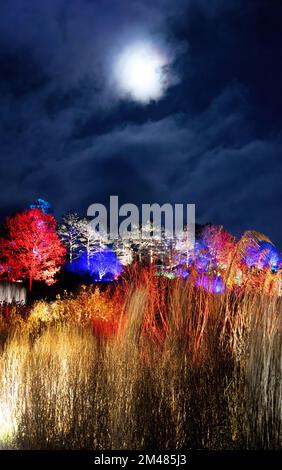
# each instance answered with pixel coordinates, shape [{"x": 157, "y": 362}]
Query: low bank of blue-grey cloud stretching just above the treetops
[{"x": 180, "y": 158}]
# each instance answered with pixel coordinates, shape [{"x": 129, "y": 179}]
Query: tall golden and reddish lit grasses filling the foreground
[{"x": 169, "y": 367}]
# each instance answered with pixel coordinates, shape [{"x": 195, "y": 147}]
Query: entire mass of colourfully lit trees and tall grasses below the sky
[{"x": 180, "y": 349}]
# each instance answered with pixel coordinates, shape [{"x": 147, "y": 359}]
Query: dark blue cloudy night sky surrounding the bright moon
[{"x": 70, "y": 134}]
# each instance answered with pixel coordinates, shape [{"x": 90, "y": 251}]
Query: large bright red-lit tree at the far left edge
[{"x": 32, "y": 248}]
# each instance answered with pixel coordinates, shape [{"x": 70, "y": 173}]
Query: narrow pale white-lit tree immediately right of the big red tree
[{"x": 70, "y": 233}]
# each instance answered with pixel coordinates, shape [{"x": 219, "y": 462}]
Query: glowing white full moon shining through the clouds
[{"x": 139, "y": 72}]
